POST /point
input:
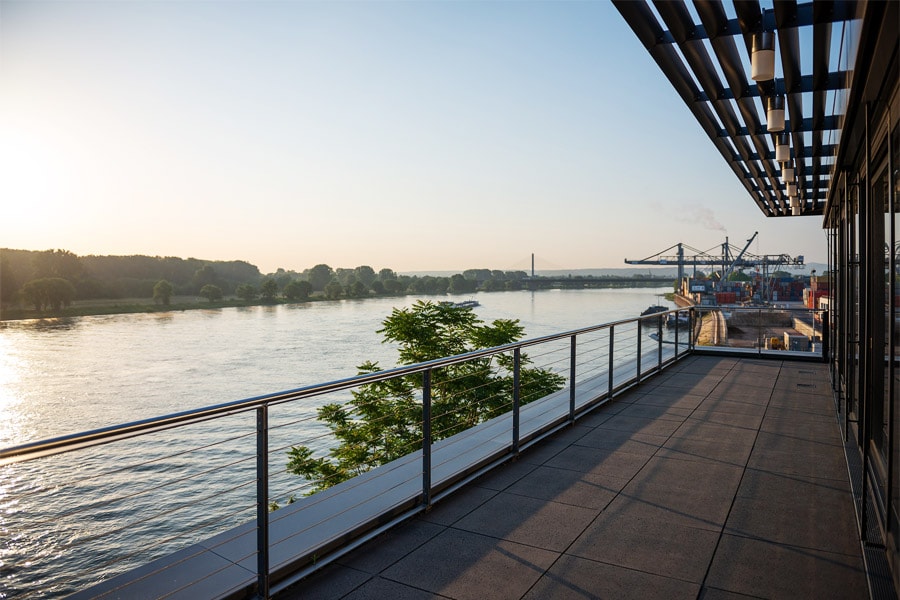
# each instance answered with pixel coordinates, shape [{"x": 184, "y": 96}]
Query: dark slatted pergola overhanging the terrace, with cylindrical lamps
[{"x": 786, "y": 160}]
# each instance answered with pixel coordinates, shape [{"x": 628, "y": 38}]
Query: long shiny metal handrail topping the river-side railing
[{"x": 104, "y": 435}]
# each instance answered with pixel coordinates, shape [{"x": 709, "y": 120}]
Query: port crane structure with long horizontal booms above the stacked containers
[{"x": 726, "y": 257}]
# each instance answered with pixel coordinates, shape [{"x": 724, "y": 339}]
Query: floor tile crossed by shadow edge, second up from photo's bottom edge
[{"x": 539, "y": 523}]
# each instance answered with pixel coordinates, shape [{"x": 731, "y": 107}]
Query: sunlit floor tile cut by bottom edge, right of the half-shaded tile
[{"x": 574, "y": 578}]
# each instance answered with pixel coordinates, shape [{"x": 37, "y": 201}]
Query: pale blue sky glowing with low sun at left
[{"x": 409, "y": 135}]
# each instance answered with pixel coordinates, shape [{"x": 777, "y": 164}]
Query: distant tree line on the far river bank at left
[{"x": 52, "y": 279}]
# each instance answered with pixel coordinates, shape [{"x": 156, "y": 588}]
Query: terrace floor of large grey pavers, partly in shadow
[{"x": 719, "y": 478}]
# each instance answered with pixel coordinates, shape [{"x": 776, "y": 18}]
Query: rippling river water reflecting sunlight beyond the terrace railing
[{"x": 62, "y": 376}]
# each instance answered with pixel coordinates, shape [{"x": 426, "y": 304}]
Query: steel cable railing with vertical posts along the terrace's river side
[{"x": 232, "y": 469}]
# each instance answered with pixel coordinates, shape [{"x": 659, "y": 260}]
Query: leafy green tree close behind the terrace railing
[{"x": 383, "y": 420}]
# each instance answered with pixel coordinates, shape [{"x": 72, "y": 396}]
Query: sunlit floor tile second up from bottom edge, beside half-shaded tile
[{"x": 651, "y": 545}]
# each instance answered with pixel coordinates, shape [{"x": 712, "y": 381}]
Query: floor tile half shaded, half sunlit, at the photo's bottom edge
[{"x": 467, "y": 566}]
